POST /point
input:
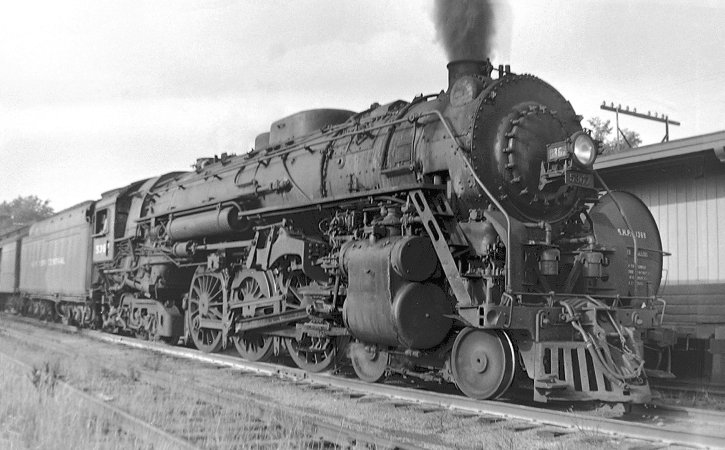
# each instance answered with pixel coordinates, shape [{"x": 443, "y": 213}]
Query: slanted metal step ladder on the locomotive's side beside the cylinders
[{"x": 440, "y": 224}]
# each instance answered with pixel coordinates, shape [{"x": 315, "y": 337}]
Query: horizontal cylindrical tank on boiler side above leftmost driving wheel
[{"x": 208, "y": 223}]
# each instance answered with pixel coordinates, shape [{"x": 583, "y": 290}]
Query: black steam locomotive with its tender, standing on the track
[{"x": 462, "y": 236}]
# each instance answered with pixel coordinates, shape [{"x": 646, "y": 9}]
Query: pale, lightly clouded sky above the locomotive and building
[{"x": 97, "y": 94}]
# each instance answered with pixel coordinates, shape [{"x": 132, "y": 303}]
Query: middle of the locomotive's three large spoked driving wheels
[{"x": 254, "y": 346}]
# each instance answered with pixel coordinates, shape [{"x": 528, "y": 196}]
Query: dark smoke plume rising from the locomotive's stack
[{"x": 466, "y": 27}]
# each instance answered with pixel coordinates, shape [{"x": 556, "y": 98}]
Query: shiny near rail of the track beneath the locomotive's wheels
[{"x": 655, "y": 425}]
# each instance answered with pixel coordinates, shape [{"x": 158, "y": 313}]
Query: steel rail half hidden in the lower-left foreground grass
[{"x": 155, "y": 436}]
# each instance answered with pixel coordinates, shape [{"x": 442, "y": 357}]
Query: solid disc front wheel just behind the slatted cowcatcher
[{"x": 483, "y": 363}]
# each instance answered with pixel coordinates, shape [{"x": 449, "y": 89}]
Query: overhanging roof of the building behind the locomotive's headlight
[{"x": 705, "y": 142}]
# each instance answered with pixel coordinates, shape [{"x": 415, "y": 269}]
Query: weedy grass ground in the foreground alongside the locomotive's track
[{"x": 35, "y": 414}]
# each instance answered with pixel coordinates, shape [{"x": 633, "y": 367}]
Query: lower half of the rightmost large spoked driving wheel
[{"x": 316, "y": 354}]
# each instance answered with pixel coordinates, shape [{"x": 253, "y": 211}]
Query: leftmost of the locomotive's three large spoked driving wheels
[{"x": 206, "y": 299}]
